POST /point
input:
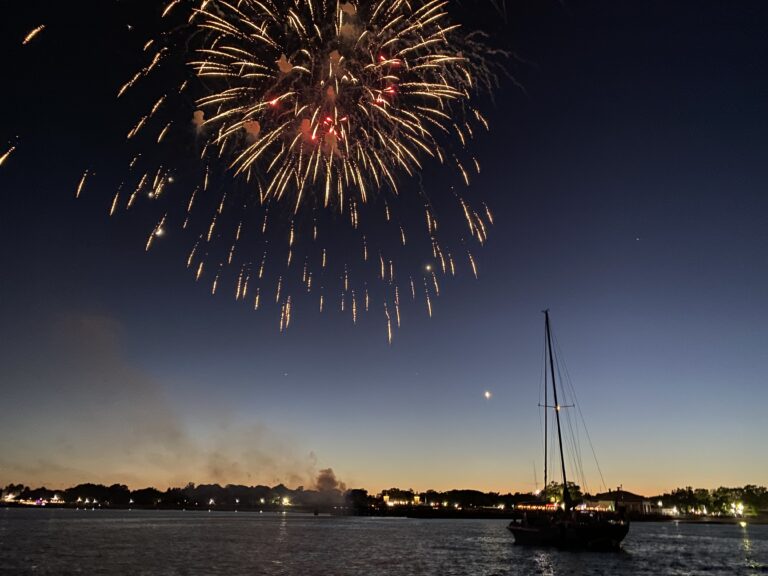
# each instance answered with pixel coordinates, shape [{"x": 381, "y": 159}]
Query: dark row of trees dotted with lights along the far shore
[{"x": 752, "y": 499}]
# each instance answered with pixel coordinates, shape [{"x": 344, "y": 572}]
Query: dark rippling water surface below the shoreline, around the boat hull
[{"x": 191, "y": 543}]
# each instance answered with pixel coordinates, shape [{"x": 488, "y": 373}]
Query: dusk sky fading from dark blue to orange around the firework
[{"x": 626, "y": 168}]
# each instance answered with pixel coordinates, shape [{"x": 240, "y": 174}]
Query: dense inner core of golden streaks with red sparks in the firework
[{"x": 336, "y": 100}]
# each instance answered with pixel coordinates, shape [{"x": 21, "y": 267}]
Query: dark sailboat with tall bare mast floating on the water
[{"x": 564, "y": 524}]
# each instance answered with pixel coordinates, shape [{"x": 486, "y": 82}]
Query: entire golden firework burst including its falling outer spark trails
[{"x": 309, "y": 113}]
